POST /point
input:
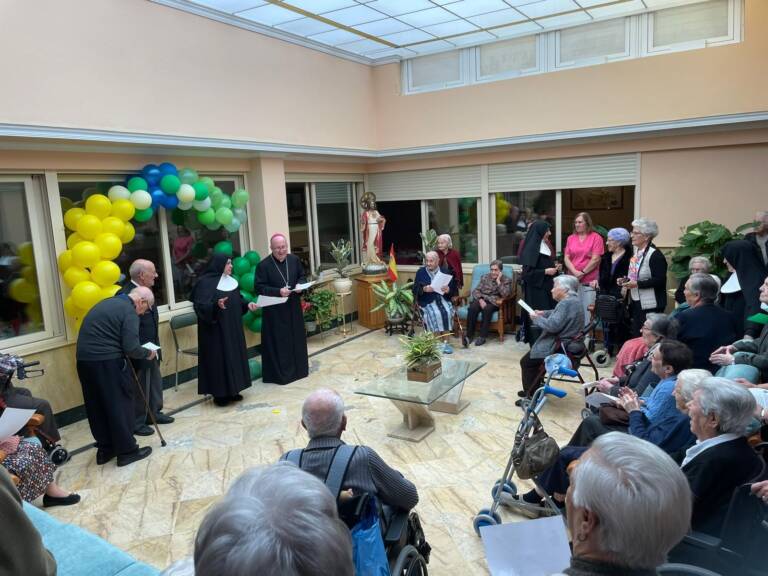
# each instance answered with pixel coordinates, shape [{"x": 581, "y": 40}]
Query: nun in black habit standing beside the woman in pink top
[{"x": 539, "y": 269}]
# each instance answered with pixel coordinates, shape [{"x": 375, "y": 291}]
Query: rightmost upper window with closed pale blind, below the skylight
[{"x": 697, "y": 22}]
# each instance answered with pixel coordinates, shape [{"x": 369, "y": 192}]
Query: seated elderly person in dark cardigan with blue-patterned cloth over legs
[{"x": 436, "y": 308}]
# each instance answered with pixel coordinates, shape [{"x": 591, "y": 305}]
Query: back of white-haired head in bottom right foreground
[{"x": 627, "y": 506}]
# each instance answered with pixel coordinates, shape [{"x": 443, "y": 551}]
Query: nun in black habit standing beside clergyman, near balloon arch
[{"x": 222, "y": 358}]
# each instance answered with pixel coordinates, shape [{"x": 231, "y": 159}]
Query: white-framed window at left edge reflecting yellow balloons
[{"x": 27, "y": 284}]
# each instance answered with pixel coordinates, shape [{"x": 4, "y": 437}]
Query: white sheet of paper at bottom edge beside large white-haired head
[{"x": 530, "y": 548}]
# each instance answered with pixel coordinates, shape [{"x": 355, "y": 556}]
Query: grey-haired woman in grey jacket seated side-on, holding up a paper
[{"x": 559, "y": 325}]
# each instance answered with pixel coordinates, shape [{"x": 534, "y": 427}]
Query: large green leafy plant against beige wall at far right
[{"x": 704, "y": 239}]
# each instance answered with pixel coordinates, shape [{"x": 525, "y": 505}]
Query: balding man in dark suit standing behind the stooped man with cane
[{"x": 143, "y": 273}]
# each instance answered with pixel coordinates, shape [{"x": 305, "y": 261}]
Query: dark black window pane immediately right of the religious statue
[{"x": 402, "y": 229}]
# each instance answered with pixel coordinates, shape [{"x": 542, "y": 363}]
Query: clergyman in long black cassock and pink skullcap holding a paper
[{"x": 283, "y": 340}]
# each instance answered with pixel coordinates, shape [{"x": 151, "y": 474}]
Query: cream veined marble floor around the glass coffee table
[{"x": 152, "y": 508}]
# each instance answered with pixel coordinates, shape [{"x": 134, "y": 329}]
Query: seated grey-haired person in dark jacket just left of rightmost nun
[{"x": 705, "y": 327}]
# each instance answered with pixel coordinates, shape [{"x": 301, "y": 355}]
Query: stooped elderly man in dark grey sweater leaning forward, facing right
[{"x": 108, "y": 336}]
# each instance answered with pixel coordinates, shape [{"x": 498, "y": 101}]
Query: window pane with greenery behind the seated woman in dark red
[{"x": 457, "y": 217}]
